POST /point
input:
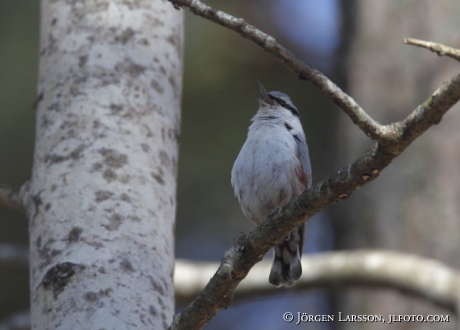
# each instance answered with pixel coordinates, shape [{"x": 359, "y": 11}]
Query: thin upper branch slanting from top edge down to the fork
[{"x": 368, "y": 125}]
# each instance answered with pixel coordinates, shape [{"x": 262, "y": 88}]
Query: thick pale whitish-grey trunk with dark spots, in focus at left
[{"x": 103, "y": 187}]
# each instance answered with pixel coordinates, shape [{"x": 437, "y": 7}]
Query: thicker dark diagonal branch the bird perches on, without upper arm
[{"x": 251, "y": 248}]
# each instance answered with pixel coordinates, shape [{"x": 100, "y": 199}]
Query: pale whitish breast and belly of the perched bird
[{"x": 264, "y": 174}]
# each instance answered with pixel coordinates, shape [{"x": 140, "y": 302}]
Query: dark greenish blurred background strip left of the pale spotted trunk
[{"x": 18, "y": 85}]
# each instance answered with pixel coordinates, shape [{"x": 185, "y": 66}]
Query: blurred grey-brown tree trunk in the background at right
[{"x": 414, "y": 207}]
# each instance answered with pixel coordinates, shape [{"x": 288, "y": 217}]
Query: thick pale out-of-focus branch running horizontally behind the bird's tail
[{"x": 406, "y": 273}]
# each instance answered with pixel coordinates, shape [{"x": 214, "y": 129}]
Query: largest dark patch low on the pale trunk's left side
[{"x": 58, "y": 276}]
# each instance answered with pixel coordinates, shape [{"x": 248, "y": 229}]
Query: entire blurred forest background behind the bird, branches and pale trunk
[{"x": 413, "y": 206}]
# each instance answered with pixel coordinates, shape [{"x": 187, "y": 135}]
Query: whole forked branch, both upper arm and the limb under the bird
[{"x": 392, "y": 140}]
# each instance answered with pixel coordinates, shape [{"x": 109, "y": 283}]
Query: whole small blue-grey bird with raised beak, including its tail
[{"x": 272, "y": 168}]
